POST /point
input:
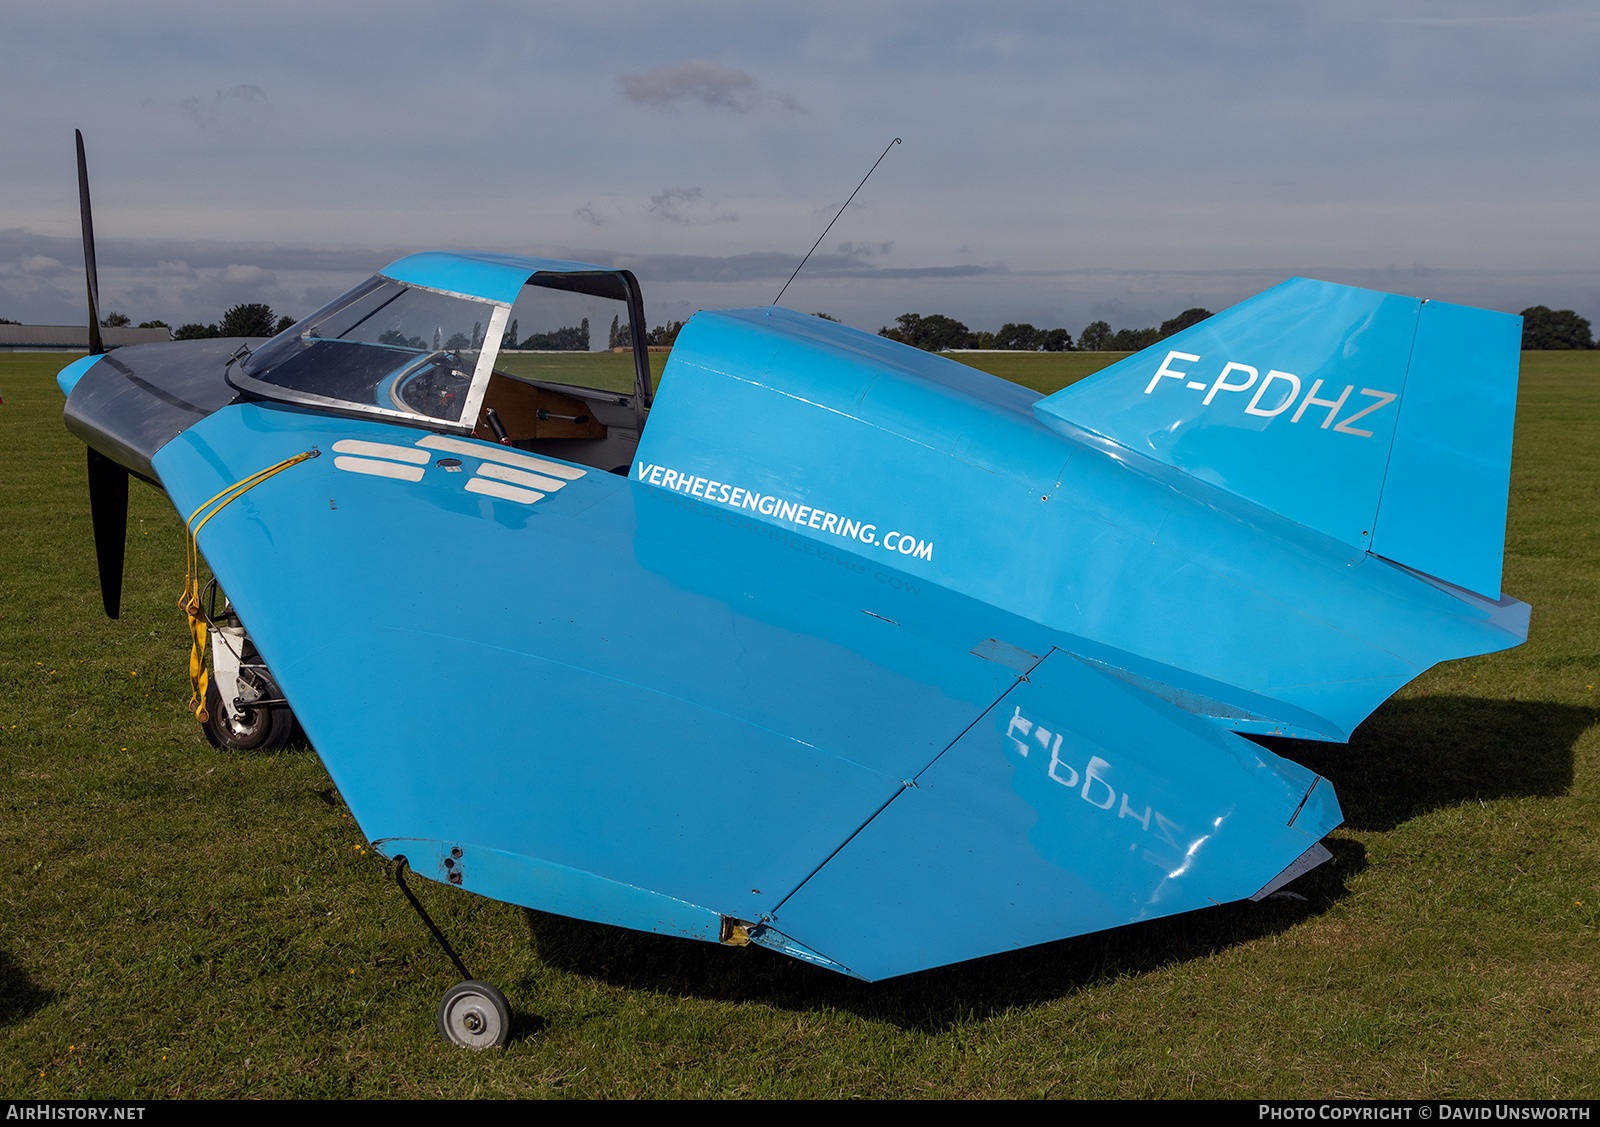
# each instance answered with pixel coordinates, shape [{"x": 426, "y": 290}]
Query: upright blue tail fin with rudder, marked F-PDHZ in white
[{"x": 1378, "y": 420}]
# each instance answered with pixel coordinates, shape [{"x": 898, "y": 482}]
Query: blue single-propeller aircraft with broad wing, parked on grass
[{"x": 828, "y": 644}]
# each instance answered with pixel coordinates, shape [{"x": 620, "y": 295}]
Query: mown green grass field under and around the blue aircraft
[{"x": 182, "y": 923}]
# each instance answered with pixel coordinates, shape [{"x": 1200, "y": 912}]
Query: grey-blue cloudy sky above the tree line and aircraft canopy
[{"x": 1060, "y": 162}]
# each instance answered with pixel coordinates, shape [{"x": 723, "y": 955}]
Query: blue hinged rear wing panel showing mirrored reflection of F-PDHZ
[{"x": 1076, "y": 804}]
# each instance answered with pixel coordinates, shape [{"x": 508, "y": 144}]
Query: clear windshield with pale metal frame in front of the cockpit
[{"x": 385, "y": 347}]
